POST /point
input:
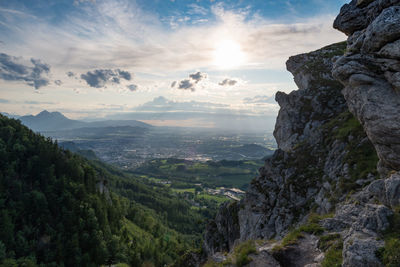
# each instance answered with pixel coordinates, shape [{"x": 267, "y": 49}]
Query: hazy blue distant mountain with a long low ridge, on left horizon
[{"x": 55, "y": 121}]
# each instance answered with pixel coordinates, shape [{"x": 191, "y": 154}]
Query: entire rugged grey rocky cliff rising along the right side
[{"x": 331, "y": 133}]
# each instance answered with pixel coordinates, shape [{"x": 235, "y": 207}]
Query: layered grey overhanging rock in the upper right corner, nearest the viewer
[{"x": 370, "y": 71}]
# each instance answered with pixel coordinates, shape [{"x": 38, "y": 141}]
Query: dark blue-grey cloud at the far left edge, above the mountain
[{"x": 12, "y": 70}]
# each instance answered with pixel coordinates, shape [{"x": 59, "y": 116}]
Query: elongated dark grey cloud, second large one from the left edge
[{"x": 99, "y": 78}]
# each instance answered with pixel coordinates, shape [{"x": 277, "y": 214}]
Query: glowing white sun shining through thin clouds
[{"x": 228, "y": 54}]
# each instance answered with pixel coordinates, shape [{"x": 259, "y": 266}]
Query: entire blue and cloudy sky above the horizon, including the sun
[{"x": 98, "y": 58}]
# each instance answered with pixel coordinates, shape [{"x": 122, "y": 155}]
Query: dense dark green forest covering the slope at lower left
[{"x": 60, "y": 209}]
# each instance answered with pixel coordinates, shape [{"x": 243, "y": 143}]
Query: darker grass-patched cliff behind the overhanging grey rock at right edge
[{"x": 314, "y": 166}]
